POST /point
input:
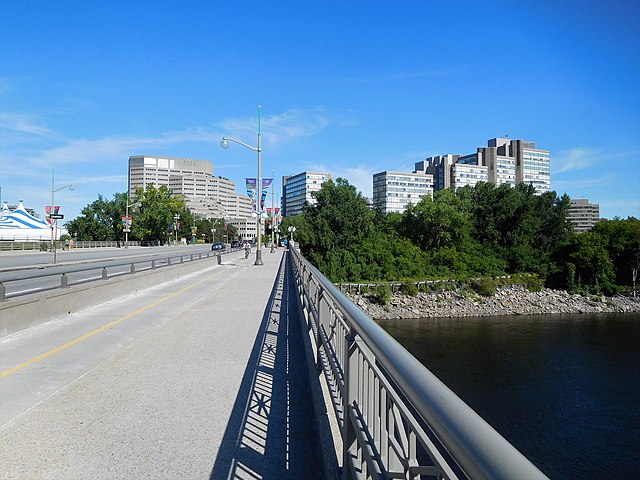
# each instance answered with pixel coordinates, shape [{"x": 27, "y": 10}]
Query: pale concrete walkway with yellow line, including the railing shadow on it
[{"x": 201, "y": 378}]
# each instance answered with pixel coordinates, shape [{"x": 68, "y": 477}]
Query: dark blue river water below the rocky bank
[{"x": 563, "y": 389}]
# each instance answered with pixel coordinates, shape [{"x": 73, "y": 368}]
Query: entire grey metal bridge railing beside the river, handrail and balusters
[{"x": 396, "y": 419}]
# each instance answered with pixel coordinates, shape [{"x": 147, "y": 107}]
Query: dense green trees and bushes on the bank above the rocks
[{"x": 480, "y": 231}]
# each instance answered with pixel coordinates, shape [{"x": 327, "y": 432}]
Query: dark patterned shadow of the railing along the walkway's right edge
[{"x": 271, "y": 433}]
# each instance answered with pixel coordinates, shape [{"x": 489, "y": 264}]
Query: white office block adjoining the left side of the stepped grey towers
[{"x": 394, "y": 191}]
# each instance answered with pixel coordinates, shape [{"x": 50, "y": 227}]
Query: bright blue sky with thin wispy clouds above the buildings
[{"x": 351, "y": 88}]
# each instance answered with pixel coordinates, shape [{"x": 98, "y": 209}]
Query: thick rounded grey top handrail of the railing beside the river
[{"x": 478, "y": 449}]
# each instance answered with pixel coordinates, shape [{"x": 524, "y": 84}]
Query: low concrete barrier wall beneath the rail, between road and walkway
[{"x": 23, "y": 312}]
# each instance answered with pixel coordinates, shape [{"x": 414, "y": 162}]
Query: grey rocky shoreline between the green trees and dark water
[{"x": 508, "y": 300}]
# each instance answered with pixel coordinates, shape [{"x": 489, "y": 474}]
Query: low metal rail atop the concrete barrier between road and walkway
[{"x": 101, "y": 267}]
